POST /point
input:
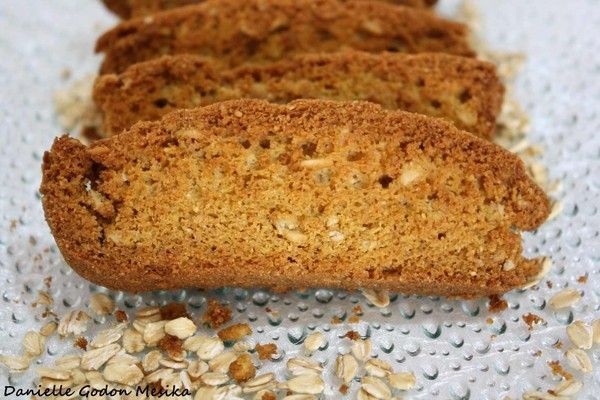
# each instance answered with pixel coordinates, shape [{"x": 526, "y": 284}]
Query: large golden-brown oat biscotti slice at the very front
[{"x": 310, "y": 194}]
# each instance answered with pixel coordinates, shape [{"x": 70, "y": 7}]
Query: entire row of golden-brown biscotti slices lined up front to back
[{"x": 290, "y": 144}]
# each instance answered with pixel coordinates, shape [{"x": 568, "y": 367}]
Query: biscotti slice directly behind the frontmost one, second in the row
[{"x": 464, "y": 90}]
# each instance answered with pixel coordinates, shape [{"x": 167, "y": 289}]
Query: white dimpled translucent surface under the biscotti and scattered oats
[{"x": 448, "y": 344}]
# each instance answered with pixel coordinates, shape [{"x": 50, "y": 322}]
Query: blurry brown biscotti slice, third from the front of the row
[{"x": 258, "y": 31}]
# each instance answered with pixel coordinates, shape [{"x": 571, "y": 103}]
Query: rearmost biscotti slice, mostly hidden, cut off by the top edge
[{"x": 140, "y": 8}]
